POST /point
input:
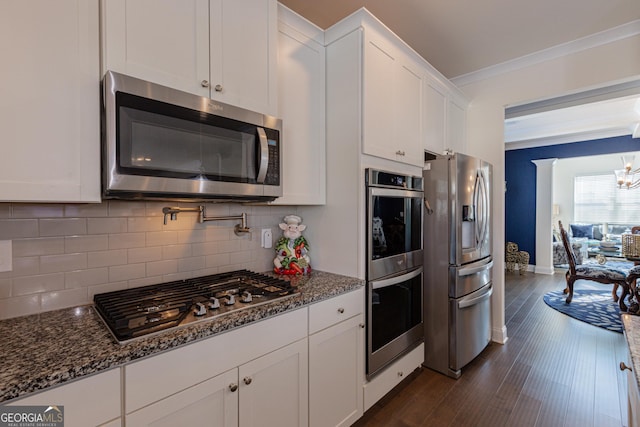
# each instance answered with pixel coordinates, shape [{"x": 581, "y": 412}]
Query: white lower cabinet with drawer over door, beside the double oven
[{"x": 336, "y": 360}]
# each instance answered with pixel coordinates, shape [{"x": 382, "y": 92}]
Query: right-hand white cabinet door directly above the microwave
[{"x": 244, "y": 53}]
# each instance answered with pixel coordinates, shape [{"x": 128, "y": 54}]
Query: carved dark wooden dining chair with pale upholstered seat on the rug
[{"x": 593, "y": 272}]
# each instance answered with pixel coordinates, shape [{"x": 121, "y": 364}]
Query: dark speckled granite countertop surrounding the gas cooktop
[{"x": 48, "y": 349}]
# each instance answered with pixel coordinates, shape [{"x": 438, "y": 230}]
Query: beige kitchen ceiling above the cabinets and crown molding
[{"x": 458, "y": 37}]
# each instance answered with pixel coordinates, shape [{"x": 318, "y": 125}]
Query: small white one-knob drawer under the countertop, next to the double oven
[{"x": 334, "y": 310}]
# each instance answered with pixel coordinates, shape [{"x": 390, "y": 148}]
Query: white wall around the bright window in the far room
[{"x": 567, "y": 169}]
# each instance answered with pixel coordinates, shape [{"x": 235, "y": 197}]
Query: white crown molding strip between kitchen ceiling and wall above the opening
[{"x": 611, "y": 35}]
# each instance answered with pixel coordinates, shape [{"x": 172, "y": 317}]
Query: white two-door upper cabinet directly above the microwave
[{"x": 222, "y": 49}]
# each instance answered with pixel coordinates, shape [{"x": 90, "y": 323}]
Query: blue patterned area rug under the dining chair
[{"x": 595, "y": 307}]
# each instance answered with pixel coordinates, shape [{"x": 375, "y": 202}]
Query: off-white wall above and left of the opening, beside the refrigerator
[{"x": 596, "y": 66}]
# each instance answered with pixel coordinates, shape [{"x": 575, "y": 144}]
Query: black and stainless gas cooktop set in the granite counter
[{"x": 132, "y": 313}]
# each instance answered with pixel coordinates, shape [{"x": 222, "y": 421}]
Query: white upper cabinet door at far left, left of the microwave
[{"x": 50, "y": 102}]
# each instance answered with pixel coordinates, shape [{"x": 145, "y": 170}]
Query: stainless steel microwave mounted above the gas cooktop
[{"x": 162, "y": 143}]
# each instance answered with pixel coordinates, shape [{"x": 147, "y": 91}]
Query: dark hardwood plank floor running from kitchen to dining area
[{"x": 552, "y": 371}]
